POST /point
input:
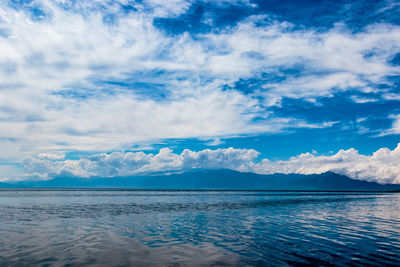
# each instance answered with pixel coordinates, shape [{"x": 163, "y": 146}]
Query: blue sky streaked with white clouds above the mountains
[{"x": 123, "y": 88}]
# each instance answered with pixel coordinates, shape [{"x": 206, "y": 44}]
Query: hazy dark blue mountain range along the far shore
[{"x": 215, "y": 179}]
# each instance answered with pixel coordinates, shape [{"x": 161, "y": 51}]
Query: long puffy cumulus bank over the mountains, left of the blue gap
[{"x": 131, "y": 163}]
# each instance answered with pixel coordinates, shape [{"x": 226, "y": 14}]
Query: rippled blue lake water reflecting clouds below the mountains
[{"x": 187, "y": 228}]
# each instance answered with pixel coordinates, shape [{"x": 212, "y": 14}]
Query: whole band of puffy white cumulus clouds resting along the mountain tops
[{"x": 383, "y": 166}]
